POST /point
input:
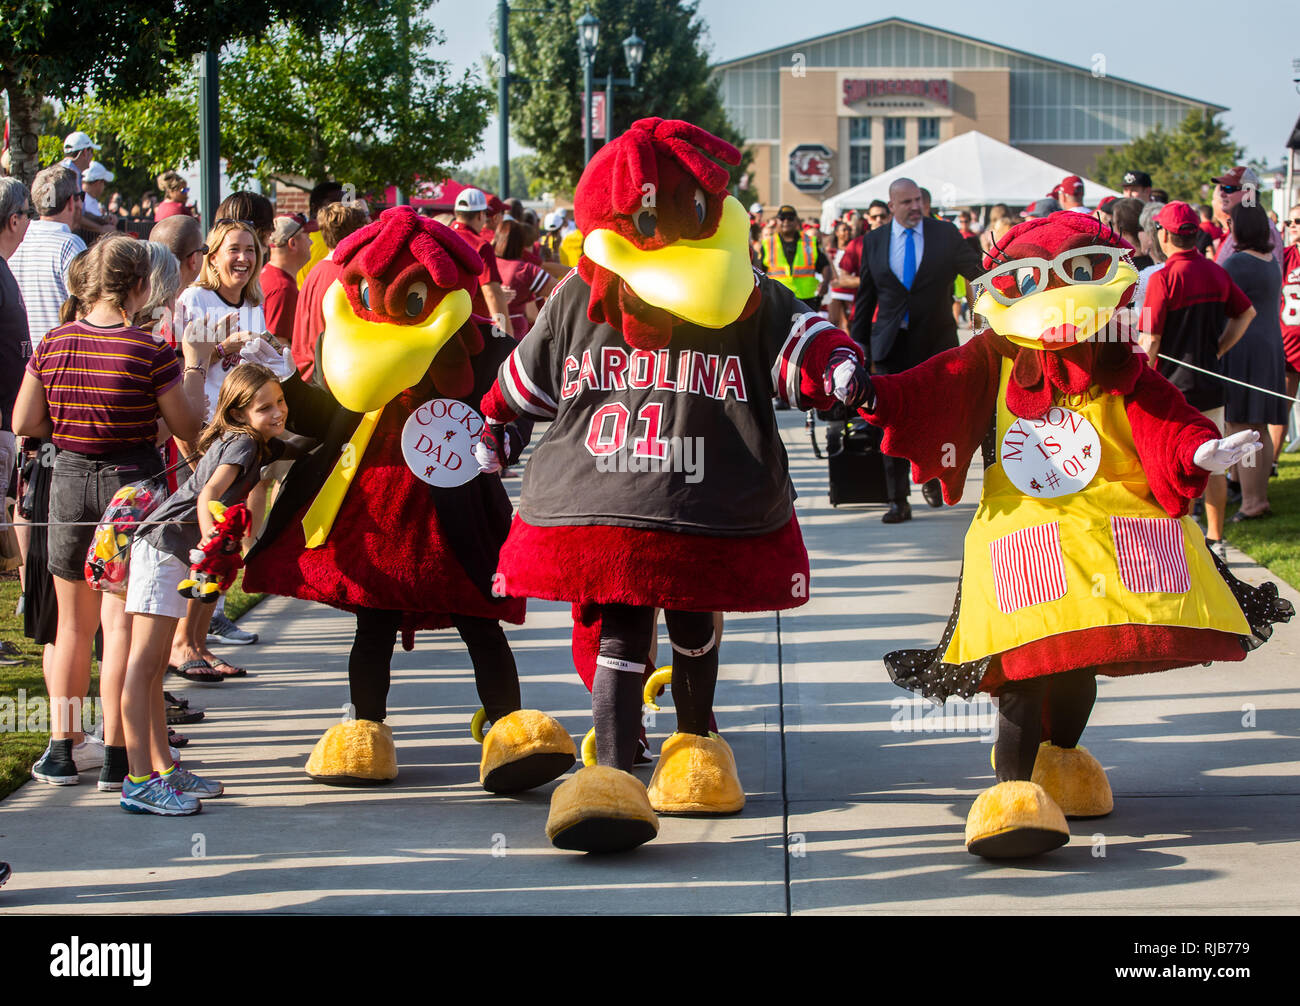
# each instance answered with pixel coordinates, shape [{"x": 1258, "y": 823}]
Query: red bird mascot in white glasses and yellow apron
[{"x": 1081, "y": 560}]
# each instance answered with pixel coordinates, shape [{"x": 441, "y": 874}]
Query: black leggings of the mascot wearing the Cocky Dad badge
[{"x": 371, "y": 664}]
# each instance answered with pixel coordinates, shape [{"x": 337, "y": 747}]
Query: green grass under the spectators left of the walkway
[{"x": 19, "y": 748}]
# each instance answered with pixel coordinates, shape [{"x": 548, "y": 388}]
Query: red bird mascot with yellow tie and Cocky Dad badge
[{"x": 392, "y": 518}]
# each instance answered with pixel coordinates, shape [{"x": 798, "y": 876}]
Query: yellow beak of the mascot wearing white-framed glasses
[{"x": 1085, "y": 306}]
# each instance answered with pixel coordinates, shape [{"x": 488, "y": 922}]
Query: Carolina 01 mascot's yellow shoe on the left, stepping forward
[{"x": 601, "y": 810}]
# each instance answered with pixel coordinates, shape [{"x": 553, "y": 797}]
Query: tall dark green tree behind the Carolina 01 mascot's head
[{"x": 547, "y": 77}]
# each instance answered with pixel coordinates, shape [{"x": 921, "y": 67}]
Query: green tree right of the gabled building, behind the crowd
[{"x": 1180, "y": 162}]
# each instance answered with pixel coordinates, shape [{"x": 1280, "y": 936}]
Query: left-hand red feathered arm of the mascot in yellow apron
[{"x": 937, "y": 414}]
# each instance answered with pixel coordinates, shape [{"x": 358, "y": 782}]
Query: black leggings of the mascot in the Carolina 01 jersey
[{"x": 617, "y": 691}]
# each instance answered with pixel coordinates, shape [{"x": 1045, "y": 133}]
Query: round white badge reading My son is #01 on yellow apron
[{"x": 1051, "y": 457}]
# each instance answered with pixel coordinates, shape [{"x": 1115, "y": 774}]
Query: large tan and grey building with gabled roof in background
[{"x": 827, "y": 114}]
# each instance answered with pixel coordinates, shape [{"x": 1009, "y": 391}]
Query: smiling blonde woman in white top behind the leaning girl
[{"x": 223, "y": 309}]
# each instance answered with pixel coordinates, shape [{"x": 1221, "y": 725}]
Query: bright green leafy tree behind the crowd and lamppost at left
[{"x": 363, "y": 102}]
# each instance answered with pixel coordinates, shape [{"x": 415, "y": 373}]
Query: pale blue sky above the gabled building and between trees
[{"x": 1193, "y": 47}]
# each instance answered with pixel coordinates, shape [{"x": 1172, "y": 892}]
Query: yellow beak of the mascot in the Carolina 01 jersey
[{"x": 705, "y": 283}]
